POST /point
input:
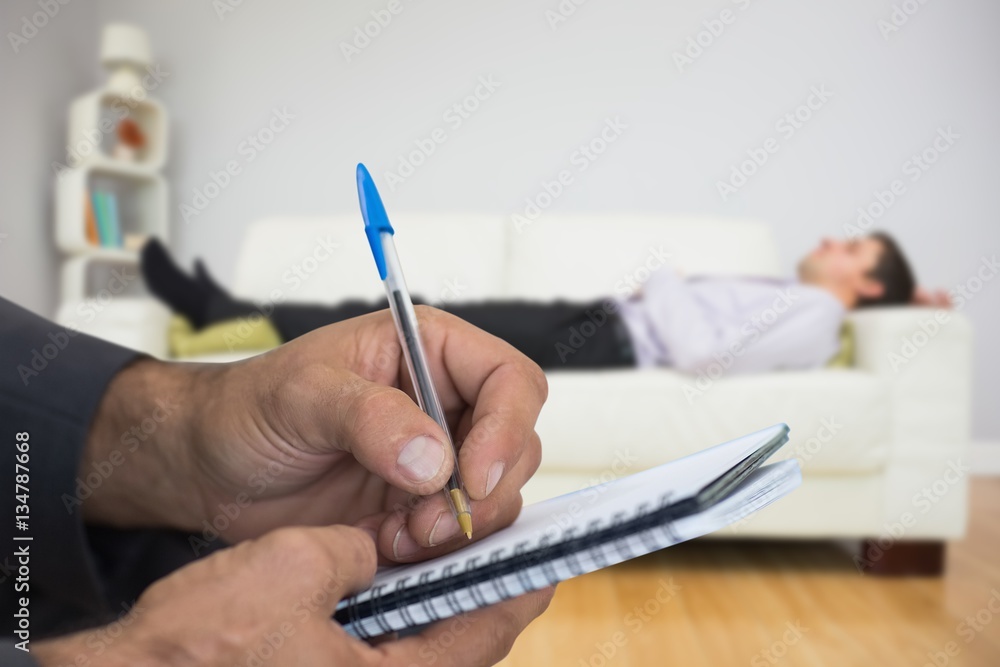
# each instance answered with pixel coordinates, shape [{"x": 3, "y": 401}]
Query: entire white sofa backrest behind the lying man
[{"x": 454, "y": 257}]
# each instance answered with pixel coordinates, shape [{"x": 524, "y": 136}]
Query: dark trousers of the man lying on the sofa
[{"x": 554, "y": 335}]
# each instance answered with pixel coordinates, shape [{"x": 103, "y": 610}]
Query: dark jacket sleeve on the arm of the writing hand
[{"x": 51, "y": 381}]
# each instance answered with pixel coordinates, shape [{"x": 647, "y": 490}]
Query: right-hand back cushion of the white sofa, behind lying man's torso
[{"x": 587, "y": 257}]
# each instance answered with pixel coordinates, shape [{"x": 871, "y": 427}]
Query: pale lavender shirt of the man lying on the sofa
[{"x": 745, "y": 324}]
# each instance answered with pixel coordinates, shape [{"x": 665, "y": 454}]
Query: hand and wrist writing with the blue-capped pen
[{"x": 324, "y": 430}]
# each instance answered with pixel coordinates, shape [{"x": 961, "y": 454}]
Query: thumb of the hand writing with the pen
[{"x": 386, "y": 431}]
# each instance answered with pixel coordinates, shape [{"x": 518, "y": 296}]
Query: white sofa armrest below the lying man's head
[{"x": 925, "y": 355}]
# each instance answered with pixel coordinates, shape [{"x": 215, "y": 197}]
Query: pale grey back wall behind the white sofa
[{"x": 609, "y": 59}]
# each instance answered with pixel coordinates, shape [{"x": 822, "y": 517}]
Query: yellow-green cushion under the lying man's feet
[{"x": 239, "y": 335}]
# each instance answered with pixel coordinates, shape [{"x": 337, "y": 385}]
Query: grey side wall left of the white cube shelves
[{"x": 37, "y": 83}]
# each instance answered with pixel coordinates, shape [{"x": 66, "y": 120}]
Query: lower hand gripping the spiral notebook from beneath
[{"x": 268, "y": 601}]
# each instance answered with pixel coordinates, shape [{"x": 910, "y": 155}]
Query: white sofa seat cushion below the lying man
[{"x": 596, "y": 421}]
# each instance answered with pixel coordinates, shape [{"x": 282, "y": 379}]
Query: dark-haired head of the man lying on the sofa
[{"x": 867, "y": 271}]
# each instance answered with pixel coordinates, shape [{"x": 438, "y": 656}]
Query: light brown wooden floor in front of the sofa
[{"x": 717, "y": 604}]
